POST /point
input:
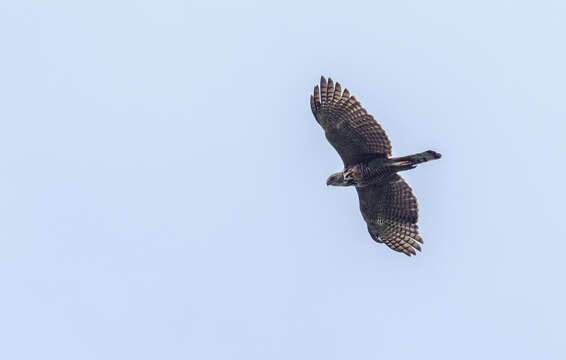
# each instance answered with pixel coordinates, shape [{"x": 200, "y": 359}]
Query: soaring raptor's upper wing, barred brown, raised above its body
[{"x": 348, "y": 127}]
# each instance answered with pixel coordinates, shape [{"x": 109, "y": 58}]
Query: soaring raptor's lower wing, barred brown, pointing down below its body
[{"x": 391, "y": 213}]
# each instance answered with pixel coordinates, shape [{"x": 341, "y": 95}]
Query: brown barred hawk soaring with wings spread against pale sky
[{"x": 387, "y": 202}]
